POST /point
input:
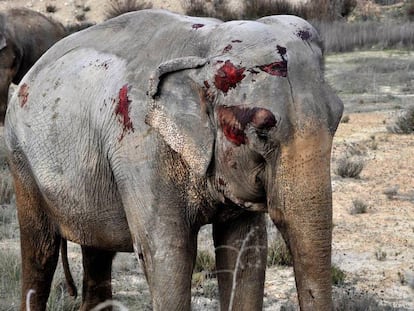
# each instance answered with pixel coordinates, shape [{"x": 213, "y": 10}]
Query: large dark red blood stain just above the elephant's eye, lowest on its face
[{"x": 233, "y": 121}]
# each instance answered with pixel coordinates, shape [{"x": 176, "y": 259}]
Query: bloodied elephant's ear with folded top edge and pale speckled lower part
[{"x": 178, "y": 111}]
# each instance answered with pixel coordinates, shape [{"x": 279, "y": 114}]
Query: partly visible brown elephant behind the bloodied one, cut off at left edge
[{"x": 24, "y": 36}]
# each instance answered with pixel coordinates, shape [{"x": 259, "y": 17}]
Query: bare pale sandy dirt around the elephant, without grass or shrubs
[{"x": 375, "y": 249}]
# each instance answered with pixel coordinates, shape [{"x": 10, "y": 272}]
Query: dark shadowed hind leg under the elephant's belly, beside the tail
[{"x": 97, "y": 267}]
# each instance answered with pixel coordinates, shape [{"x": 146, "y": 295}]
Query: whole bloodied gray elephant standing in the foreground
[{"x": 132, "y": 134}]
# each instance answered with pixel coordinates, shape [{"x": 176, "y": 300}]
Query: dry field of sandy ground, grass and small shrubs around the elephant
[{"x": 373, "y": 195}]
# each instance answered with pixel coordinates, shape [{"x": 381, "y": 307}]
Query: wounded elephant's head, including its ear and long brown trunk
[{"x": 258, "y": 120}]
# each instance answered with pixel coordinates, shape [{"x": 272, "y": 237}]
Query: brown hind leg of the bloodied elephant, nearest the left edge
[{"x": 39, "y": 245}]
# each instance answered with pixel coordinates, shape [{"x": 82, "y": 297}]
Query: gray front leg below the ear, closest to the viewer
[{"x": 168, "y": 265}]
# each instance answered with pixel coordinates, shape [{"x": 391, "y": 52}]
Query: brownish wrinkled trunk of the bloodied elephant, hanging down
[{"x": 300, "y": 205}]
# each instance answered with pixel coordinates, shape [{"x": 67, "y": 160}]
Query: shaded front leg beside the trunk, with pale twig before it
[{"x": 241, "y": 248}]
